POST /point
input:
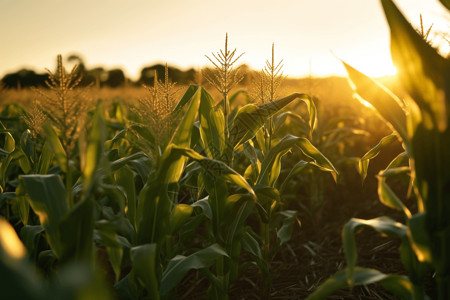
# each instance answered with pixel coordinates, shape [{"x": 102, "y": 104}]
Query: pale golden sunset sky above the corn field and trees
[{"x": 309, "y": 35}]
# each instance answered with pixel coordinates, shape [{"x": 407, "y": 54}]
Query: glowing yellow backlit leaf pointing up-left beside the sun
[{"x": 388, "y": 106}]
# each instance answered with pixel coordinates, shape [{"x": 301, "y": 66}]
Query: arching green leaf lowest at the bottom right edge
[{"x": 396, "y": 284}]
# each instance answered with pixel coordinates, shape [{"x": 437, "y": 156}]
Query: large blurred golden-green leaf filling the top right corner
[{"x": 424, "y": 73}]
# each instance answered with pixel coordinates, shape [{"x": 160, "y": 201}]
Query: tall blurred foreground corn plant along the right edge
[{"x": 421, "y": 124}]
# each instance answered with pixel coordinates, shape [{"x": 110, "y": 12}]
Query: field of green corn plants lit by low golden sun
[{"x": 224, "y": 190}]
